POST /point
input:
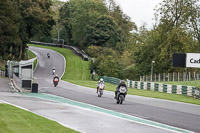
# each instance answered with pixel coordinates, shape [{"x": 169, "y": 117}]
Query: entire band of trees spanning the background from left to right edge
[{"x": 121, "y": 49}]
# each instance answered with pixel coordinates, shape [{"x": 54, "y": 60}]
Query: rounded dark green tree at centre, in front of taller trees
[{"x": 104, "y": 33}]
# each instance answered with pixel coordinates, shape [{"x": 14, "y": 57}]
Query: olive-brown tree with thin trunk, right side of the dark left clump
[{"x": 35, "y": 21}]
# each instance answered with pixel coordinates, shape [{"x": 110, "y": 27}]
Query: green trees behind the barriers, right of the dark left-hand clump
[{"x": 123, "y": 50}]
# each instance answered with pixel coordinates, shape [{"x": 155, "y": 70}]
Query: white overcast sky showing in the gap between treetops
[{"x": 140, "y": 11}]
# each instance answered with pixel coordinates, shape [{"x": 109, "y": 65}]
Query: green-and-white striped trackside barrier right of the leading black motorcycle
[{"x": 165, "y": 88}]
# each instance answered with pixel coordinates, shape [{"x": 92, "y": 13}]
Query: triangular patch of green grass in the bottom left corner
[{"x": 15, "y": 120}]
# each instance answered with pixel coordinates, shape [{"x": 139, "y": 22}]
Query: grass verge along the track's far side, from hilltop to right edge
[{"x": 79, "y": 74}]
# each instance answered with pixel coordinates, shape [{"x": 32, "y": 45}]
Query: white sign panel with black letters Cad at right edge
[{"x": 193, "y": 60}]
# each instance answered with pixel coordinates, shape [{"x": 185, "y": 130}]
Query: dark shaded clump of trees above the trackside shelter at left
[{"x": 20, "y": 22}]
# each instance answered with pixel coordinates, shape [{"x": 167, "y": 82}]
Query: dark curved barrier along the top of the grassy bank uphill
[{"x": 76, "y": 50}]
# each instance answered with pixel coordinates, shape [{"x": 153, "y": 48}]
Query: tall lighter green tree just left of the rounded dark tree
[{"x": 77, "y": 16}]
